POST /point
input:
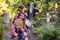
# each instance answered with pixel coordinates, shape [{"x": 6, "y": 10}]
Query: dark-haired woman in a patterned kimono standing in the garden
[{"x": 20, "y": 32}]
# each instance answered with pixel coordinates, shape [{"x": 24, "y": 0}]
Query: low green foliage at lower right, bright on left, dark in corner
[{"x": 47, "y": 34}]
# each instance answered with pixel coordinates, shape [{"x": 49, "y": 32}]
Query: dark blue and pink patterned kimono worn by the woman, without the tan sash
[{"x": 21, "y": 35}]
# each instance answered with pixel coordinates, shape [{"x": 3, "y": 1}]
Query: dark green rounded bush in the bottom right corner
[{"x": 51, "y": 35}]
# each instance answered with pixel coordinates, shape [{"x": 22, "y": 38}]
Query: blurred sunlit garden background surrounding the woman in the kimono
[{"x": 44, "y": 16}]
